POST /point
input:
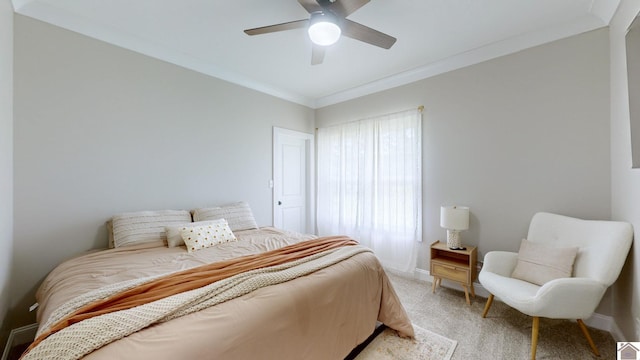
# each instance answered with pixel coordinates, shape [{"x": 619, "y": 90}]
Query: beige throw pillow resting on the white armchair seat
[{"x": 539, "y": 263}]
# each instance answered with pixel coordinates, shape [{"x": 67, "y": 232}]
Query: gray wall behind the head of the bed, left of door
[{"x": 101, "y": 130}]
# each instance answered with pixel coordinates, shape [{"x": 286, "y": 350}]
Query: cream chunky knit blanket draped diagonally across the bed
[{"x": 77, "y": 340}]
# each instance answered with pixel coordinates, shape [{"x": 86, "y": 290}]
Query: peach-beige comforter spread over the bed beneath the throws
[{"x": 319, "y": 316}]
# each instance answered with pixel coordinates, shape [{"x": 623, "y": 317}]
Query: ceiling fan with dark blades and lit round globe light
[{"x": 327, "y": 21}]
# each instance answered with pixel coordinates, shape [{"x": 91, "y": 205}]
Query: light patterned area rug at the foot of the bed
[{"x": 426, "y": 346}]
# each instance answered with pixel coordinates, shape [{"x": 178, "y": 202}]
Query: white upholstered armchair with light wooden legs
[{"x": 602, "y": 249}]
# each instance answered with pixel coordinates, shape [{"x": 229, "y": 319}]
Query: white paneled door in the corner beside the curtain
[{"x": 293, "y": 180}]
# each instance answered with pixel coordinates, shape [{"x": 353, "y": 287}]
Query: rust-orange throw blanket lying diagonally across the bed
[{"x": 195, "y": 278}]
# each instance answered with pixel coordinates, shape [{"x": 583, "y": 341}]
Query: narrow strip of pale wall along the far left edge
[{"x": 6, "y": 161}]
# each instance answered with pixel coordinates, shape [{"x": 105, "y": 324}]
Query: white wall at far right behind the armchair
[{"x": 625, "y": 182}]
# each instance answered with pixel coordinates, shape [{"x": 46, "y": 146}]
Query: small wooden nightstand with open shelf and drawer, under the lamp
[{"x": 454, "y": 265}]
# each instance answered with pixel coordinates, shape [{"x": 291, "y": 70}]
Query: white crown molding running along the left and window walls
[{"x": 601, "y": 13}]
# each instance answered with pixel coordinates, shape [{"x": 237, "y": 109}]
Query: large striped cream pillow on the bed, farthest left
[{"x": 145, "y": 226}]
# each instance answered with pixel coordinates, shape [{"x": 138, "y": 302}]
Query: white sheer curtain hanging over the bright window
[{"x": 370, "y": 185}]
